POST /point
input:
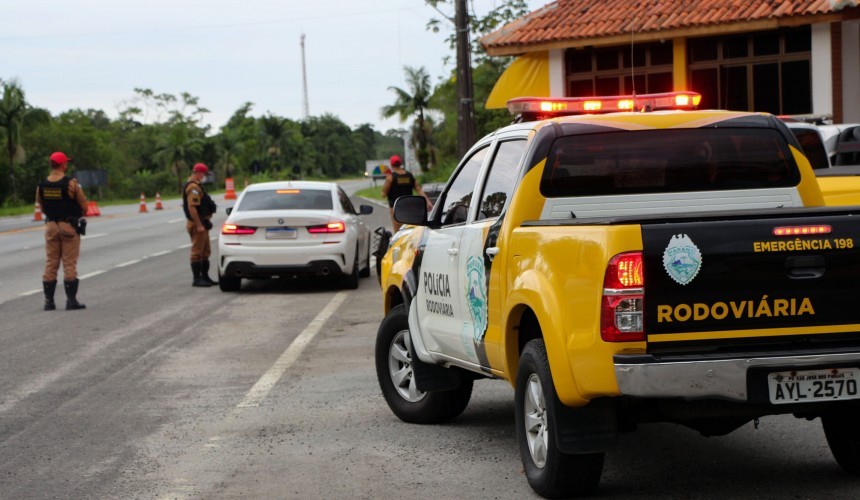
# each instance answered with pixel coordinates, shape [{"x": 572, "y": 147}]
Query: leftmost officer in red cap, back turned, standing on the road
[{"x": 63, "y": 202}]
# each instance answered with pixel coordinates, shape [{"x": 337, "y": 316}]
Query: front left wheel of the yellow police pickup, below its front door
[{"x": 394, "y": 362}]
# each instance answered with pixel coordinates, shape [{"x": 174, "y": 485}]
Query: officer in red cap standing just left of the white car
[{"x": 198, "y": 207}]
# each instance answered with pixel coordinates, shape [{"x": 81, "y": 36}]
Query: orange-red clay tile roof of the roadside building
[{"x": 564, "y": 21}]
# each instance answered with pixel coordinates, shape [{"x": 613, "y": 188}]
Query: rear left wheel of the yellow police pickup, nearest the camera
[{"x": 551, "y": 473}]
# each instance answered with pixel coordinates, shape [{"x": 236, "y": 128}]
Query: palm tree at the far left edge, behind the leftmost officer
[{"x": 14, "y": 115}]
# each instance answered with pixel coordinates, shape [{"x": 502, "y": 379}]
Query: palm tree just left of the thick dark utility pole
[{"x": 414, "y": 102}]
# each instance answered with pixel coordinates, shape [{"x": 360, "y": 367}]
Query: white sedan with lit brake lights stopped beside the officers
[{"x": 293, "y": 228}]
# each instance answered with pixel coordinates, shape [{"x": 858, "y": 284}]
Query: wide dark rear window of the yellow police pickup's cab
[{"x": 666, "y": 161}]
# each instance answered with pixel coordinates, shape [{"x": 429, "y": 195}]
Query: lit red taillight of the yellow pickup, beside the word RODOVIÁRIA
[{"x": 623, "y": 301}]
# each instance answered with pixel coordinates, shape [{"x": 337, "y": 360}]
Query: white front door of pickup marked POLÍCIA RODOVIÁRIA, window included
[{"x": 439, "y": 297}]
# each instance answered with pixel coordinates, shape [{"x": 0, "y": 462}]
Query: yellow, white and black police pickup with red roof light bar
[{"x": 634, "y": 261}]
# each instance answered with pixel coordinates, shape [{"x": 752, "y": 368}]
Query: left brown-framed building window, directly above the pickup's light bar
[{"x": 646, "y": 69}]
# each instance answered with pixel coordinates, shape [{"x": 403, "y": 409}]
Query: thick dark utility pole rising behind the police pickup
[{"x": 465, "y": 95}]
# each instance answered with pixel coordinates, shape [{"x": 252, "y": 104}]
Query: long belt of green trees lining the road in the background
[{"x": 157, "y": 137}]
